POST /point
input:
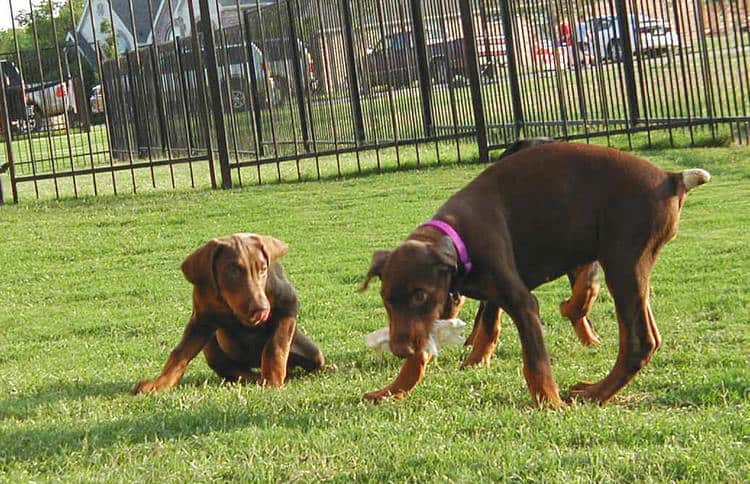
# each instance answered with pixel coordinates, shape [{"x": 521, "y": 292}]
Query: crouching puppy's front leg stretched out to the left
[{"x": 194, "y": 338}]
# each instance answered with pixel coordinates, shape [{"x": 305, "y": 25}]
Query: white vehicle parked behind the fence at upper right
[{"x": 648, "y": 36}]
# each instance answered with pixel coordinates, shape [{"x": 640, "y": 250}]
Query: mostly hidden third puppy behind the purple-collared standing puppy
[{"x": 584, "y": 284}]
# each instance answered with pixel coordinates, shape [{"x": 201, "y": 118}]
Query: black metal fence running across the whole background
[{"x": 141, "y": 94}]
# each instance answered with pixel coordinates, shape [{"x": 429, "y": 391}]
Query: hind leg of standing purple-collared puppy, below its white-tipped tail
[{"x": 639, "y": 337}]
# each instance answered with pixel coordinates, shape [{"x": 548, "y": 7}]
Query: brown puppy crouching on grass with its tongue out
[{"x": 244, "y": 315}]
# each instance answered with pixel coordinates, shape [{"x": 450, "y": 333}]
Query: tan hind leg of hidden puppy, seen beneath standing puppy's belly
[{"x": 584, "y": 283}]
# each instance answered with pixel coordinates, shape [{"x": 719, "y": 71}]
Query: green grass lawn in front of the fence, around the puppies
[{"x": 92, "y": 300}]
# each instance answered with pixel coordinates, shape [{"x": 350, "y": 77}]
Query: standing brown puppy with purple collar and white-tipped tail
[{"x": 543, "y": 211}]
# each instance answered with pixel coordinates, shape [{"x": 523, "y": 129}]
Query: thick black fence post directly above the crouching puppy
[{"x": 212, "y": 70}]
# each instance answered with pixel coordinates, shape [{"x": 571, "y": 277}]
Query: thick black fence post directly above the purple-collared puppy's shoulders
[{"x": 475, "y": 83}]
